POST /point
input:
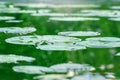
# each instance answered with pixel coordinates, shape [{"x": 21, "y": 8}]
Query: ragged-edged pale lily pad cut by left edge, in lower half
[{"x": 14, "y": 58}]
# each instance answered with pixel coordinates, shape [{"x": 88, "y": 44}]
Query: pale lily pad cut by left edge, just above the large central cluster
[{"x": 17, "y": 30}]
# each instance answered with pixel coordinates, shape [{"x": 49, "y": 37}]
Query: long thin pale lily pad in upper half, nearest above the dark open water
[{"x": 73, "y": 19}]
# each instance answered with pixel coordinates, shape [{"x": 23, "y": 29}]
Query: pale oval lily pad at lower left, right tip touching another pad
[{"x": 32, "y": 69}]
